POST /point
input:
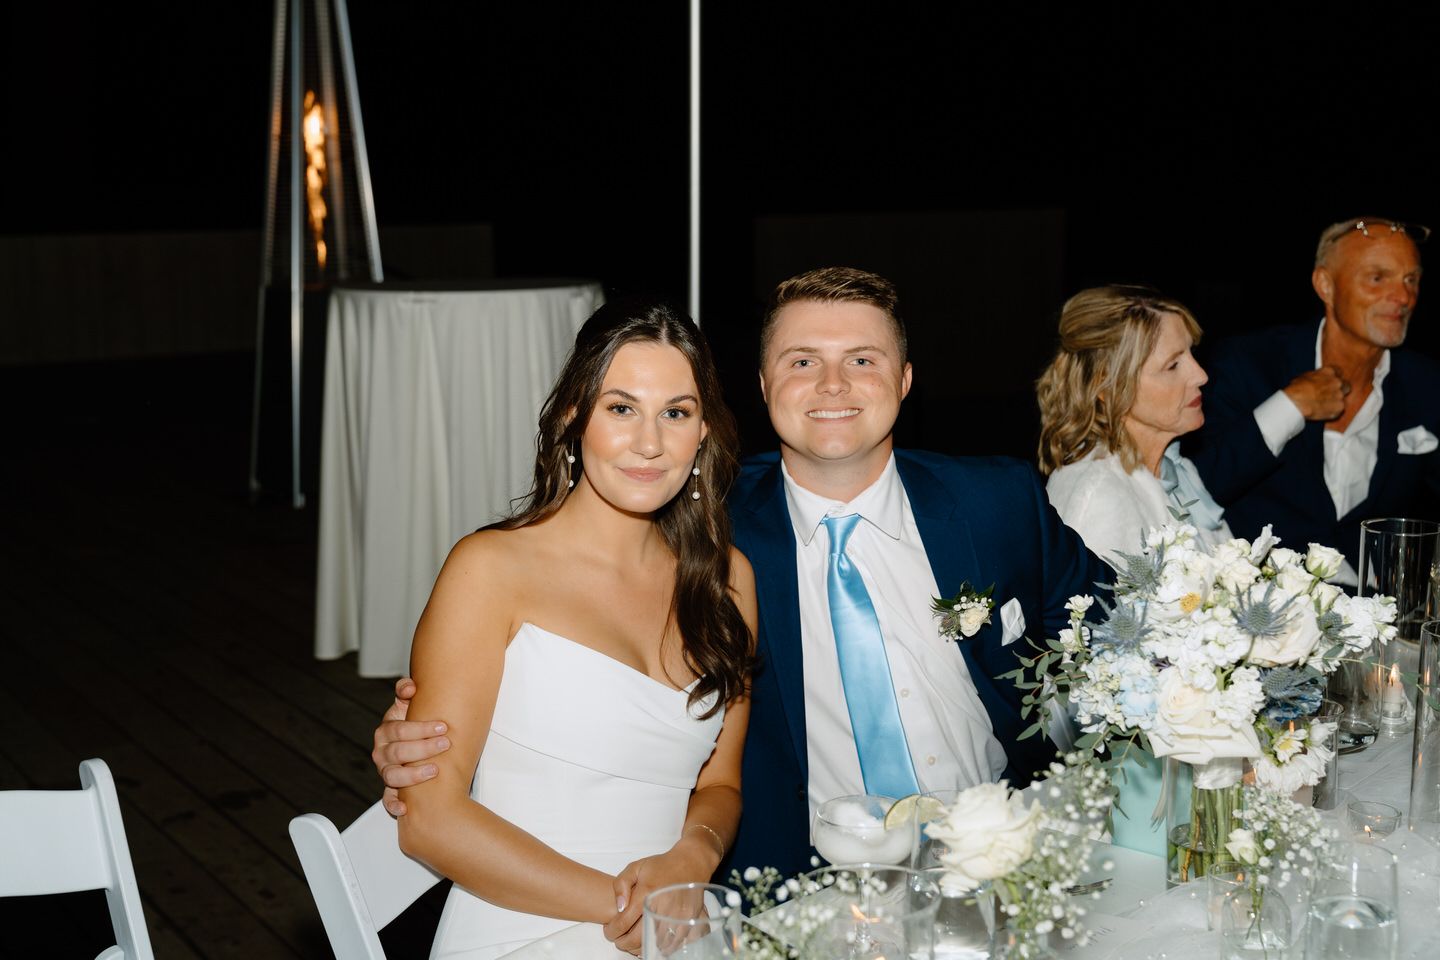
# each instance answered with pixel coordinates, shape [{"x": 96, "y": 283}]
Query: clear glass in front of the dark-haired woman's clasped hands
[{"x": 696, "y": 922}]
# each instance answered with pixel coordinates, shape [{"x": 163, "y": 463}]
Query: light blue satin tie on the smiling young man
[{"x": 870, "y": 696}]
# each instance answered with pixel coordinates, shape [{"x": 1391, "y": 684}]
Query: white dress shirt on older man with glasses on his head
[{"x": 1350, "y": 456}]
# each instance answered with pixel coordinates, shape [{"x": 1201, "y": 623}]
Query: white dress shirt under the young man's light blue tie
[{"x": 945, "y": 723}]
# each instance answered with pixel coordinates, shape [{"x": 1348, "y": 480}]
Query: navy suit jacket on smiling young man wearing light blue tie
[{"x": 981, "y": 520}]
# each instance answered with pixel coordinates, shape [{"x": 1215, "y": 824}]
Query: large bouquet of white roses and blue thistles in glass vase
[{"x": 1215, "y": 658}]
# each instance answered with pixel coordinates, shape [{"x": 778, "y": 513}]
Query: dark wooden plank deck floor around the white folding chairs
[{"x": 159, "y": 621}]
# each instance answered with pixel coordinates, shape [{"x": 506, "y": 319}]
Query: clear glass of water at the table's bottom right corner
[{"x": 1353, "y": 905}]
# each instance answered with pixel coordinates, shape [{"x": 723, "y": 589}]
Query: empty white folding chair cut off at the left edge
[{"x": 68, "y": 841}]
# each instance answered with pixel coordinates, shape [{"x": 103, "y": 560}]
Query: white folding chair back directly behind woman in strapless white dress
[{"x": 361, "y": 880}]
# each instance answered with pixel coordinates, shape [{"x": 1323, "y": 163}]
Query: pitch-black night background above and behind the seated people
[{"x": 1202, "y": 153}]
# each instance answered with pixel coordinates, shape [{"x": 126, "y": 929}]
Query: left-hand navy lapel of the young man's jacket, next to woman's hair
[{"x": 773, "y": 542}]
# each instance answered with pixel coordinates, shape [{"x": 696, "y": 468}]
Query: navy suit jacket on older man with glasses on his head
[{"x": 1290, "y": 492}]
